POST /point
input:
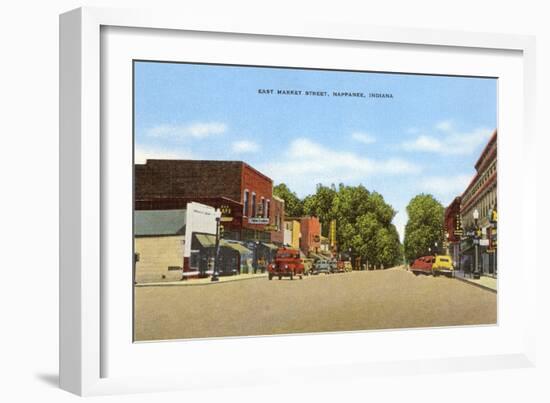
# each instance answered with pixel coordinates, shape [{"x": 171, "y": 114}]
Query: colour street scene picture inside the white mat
[{"x": 274, "y": 200}]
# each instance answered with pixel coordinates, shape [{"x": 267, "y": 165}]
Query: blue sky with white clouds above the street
[{"x": 426, "y": 138}]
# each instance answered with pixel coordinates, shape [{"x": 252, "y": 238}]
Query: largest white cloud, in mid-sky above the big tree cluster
[{"x": 307, "y": 163}]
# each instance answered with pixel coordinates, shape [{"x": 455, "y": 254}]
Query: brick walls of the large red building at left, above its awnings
[{"x": 171, "y": 184}]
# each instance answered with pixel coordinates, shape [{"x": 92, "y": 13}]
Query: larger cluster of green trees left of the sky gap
[{"x": 364, "y": 220}]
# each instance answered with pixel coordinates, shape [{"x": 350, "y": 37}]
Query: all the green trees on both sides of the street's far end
[{"x": 364, "y": 222}]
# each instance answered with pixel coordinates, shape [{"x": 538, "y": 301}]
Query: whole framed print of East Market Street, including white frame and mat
[{"x": 248, "y": 195}]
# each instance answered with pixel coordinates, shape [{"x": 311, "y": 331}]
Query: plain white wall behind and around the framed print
[{"x": 28, "y": 166}]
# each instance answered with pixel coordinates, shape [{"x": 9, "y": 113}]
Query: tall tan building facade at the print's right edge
[{"x": 480, "y": 197}]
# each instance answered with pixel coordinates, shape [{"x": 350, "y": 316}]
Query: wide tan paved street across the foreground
[{"x": 383, "y": 299}]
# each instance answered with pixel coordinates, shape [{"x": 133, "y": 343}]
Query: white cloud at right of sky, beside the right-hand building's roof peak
[{"x": 451, "y": 142}]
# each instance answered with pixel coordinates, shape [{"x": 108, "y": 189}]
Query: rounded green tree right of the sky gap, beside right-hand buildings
[{"x": 424, "y": 226}]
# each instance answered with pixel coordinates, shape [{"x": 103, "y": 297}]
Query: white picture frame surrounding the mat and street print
[{"x": 84, "y": 173}]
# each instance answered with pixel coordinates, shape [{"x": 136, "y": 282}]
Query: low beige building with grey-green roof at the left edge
[{"x": 158, "y": 245}]
